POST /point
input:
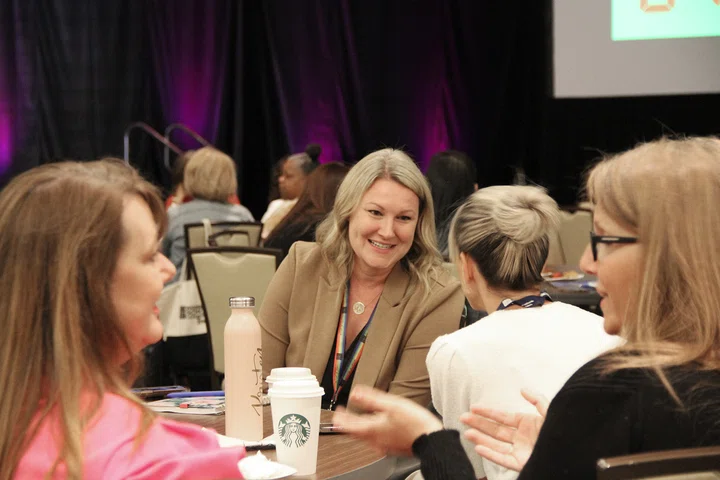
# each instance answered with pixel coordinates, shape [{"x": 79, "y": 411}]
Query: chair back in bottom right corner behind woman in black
[{"x": 688, "y": 464}]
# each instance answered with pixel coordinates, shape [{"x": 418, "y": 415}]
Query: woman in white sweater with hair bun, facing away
[{"x": 499, "y": 240}]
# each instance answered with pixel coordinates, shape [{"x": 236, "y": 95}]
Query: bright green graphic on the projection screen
[{"x": 655, "y": 19}]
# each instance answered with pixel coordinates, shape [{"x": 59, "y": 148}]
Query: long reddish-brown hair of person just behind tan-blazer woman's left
[{"x": 317, "y": 199}]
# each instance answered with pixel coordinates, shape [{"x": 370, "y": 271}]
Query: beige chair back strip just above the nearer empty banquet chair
[{"x": 237, "y": 234}]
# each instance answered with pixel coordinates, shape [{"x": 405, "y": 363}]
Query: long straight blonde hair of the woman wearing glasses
[{"x": 668, "y": 192}]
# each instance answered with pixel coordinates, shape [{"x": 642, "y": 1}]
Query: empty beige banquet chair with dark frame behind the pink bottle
[{"x": 224, "y": 272}]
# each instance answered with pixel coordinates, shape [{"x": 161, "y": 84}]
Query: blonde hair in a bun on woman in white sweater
[{"x": 506, "y": 231}]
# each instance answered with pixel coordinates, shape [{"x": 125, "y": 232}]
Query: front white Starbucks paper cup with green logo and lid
[{"x": 295, "y": 406}]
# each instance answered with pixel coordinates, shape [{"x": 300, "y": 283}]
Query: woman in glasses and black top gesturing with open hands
[{"x": 657, "y": 260}]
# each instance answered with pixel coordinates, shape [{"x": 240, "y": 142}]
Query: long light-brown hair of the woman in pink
[{"x": 60, "y": 237}]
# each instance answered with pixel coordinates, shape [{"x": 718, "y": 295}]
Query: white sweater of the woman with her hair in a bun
[{"x": 489, "y": 362}]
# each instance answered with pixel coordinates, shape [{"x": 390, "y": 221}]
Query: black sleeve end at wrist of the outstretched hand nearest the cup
[{"x": 442, "y": 456}]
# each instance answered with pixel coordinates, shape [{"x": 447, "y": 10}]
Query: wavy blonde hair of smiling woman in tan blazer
[{"x": 423, "y": 261}]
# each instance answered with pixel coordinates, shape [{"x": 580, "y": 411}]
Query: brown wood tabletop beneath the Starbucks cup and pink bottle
[{"x": 340, "y": 456}]
